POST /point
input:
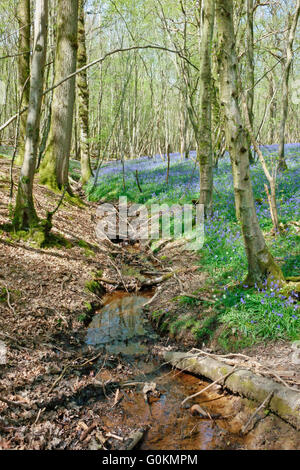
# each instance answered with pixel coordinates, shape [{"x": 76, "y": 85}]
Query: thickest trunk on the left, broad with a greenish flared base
[{"x": 55, "y": 165}]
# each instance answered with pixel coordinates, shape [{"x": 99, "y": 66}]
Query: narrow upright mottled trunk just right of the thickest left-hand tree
[{"x": 83, "y": 99}]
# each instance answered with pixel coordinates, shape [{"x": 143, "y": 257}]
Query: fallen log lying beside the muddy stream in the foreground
[{"x": 284, "y": 402}]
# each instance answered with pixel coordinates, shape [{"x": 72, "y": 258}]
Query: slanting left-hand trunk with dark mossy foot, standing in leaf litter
[{"x": 25, "y": 215}]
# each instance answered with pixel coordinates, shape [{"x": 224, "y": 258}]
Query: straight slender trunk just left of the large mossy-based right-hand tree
[{"x": 205, "y": 151}]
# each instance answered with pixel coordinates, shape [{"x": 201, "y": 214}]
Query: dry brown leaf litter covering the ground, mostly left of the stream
[{"x": 54, "y": 389}]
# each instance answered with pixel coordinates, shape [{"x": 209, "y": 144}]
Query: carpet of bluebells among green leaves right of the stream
[{"x": 223, "y": 252}]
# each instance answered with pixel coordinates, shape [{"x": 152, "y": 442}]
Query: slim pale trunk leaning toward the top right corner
[{"x": 285, "y": 85}]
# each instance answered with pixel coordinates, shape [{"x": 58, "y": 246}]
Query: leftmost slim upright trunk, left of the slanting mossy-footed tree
[{"x": 24, "y": 20}]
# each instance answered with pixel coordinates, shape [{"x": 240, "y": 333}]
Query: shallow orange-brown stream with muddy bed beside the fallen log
[{"x": 120, "y": 328}]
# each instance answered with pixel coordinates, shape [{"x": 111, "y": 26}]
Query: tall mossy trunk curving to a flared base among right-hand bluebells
[{"x": 261, "y": 264}]
